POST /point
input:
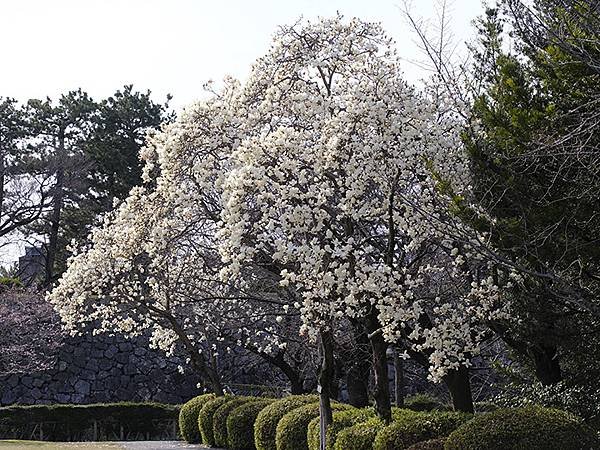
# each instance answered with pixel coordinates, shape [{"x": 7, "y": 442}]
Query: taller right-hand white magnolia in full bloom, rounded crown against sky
[{"x": 338, "y": 179}]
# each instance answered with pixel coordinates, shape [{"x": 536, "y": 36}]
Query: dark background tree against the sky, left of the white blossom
[{"x": 89, "y": 151}]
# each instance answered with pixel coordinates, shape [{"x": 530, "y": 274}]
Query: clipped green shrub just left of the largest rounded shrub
[{"x": 401, "y": 434}]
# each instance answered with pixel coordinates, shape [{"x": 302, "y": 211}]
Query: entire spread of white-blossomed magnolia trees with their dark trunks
[{"x": 319, "y": 191}]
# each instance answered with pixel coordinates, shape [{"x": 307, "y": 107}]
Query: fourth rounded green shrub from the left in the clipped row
[{"x": 240, "y": 424}]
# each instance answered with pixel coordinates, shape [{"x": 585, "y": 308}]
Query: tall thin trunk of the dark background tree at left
[{"x": 57, "y": 204}]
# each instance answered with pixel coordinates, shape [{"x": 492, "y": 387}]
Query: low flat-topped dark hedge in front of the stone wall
[{"x": 87, "y": 422}]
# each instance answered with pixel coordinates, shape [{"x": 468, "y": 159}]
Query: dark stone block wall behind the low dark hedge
[{"x": 92, "y": 369}]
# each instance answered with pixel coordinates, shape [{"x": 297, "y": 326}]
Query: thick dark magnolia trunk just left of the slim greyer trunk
[{"x": 383, "y": 404}]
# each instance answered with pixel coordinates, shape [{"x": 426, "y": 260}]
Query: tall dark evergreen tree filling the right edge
[{"x": 534, "y": 165}]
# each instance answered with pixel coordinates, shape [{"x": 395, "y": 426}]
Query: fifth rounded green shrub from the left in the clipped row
[{"x": 265, "y": 425}]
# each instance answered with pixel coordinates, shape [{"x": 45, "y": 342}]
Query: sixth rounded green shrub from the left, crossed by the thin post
[{"x": 292, "y": 429}]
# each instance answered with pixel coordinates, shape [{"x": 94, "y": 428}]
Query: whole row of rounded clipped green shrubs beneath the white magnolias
[{"x": 292, "y": 423}]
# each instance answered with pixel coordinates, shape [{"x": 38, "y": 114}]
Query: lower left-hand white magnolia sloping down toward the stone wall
[{"x": 154, "y": 264}]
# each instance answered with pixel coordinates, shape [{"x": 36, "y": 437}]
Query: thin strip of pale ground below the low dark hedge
[{"x": 132, "y": 445}]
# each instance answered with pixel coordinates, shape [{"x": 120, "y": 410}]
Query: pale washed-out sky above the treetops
[{"x": 171, "y": 46}]
